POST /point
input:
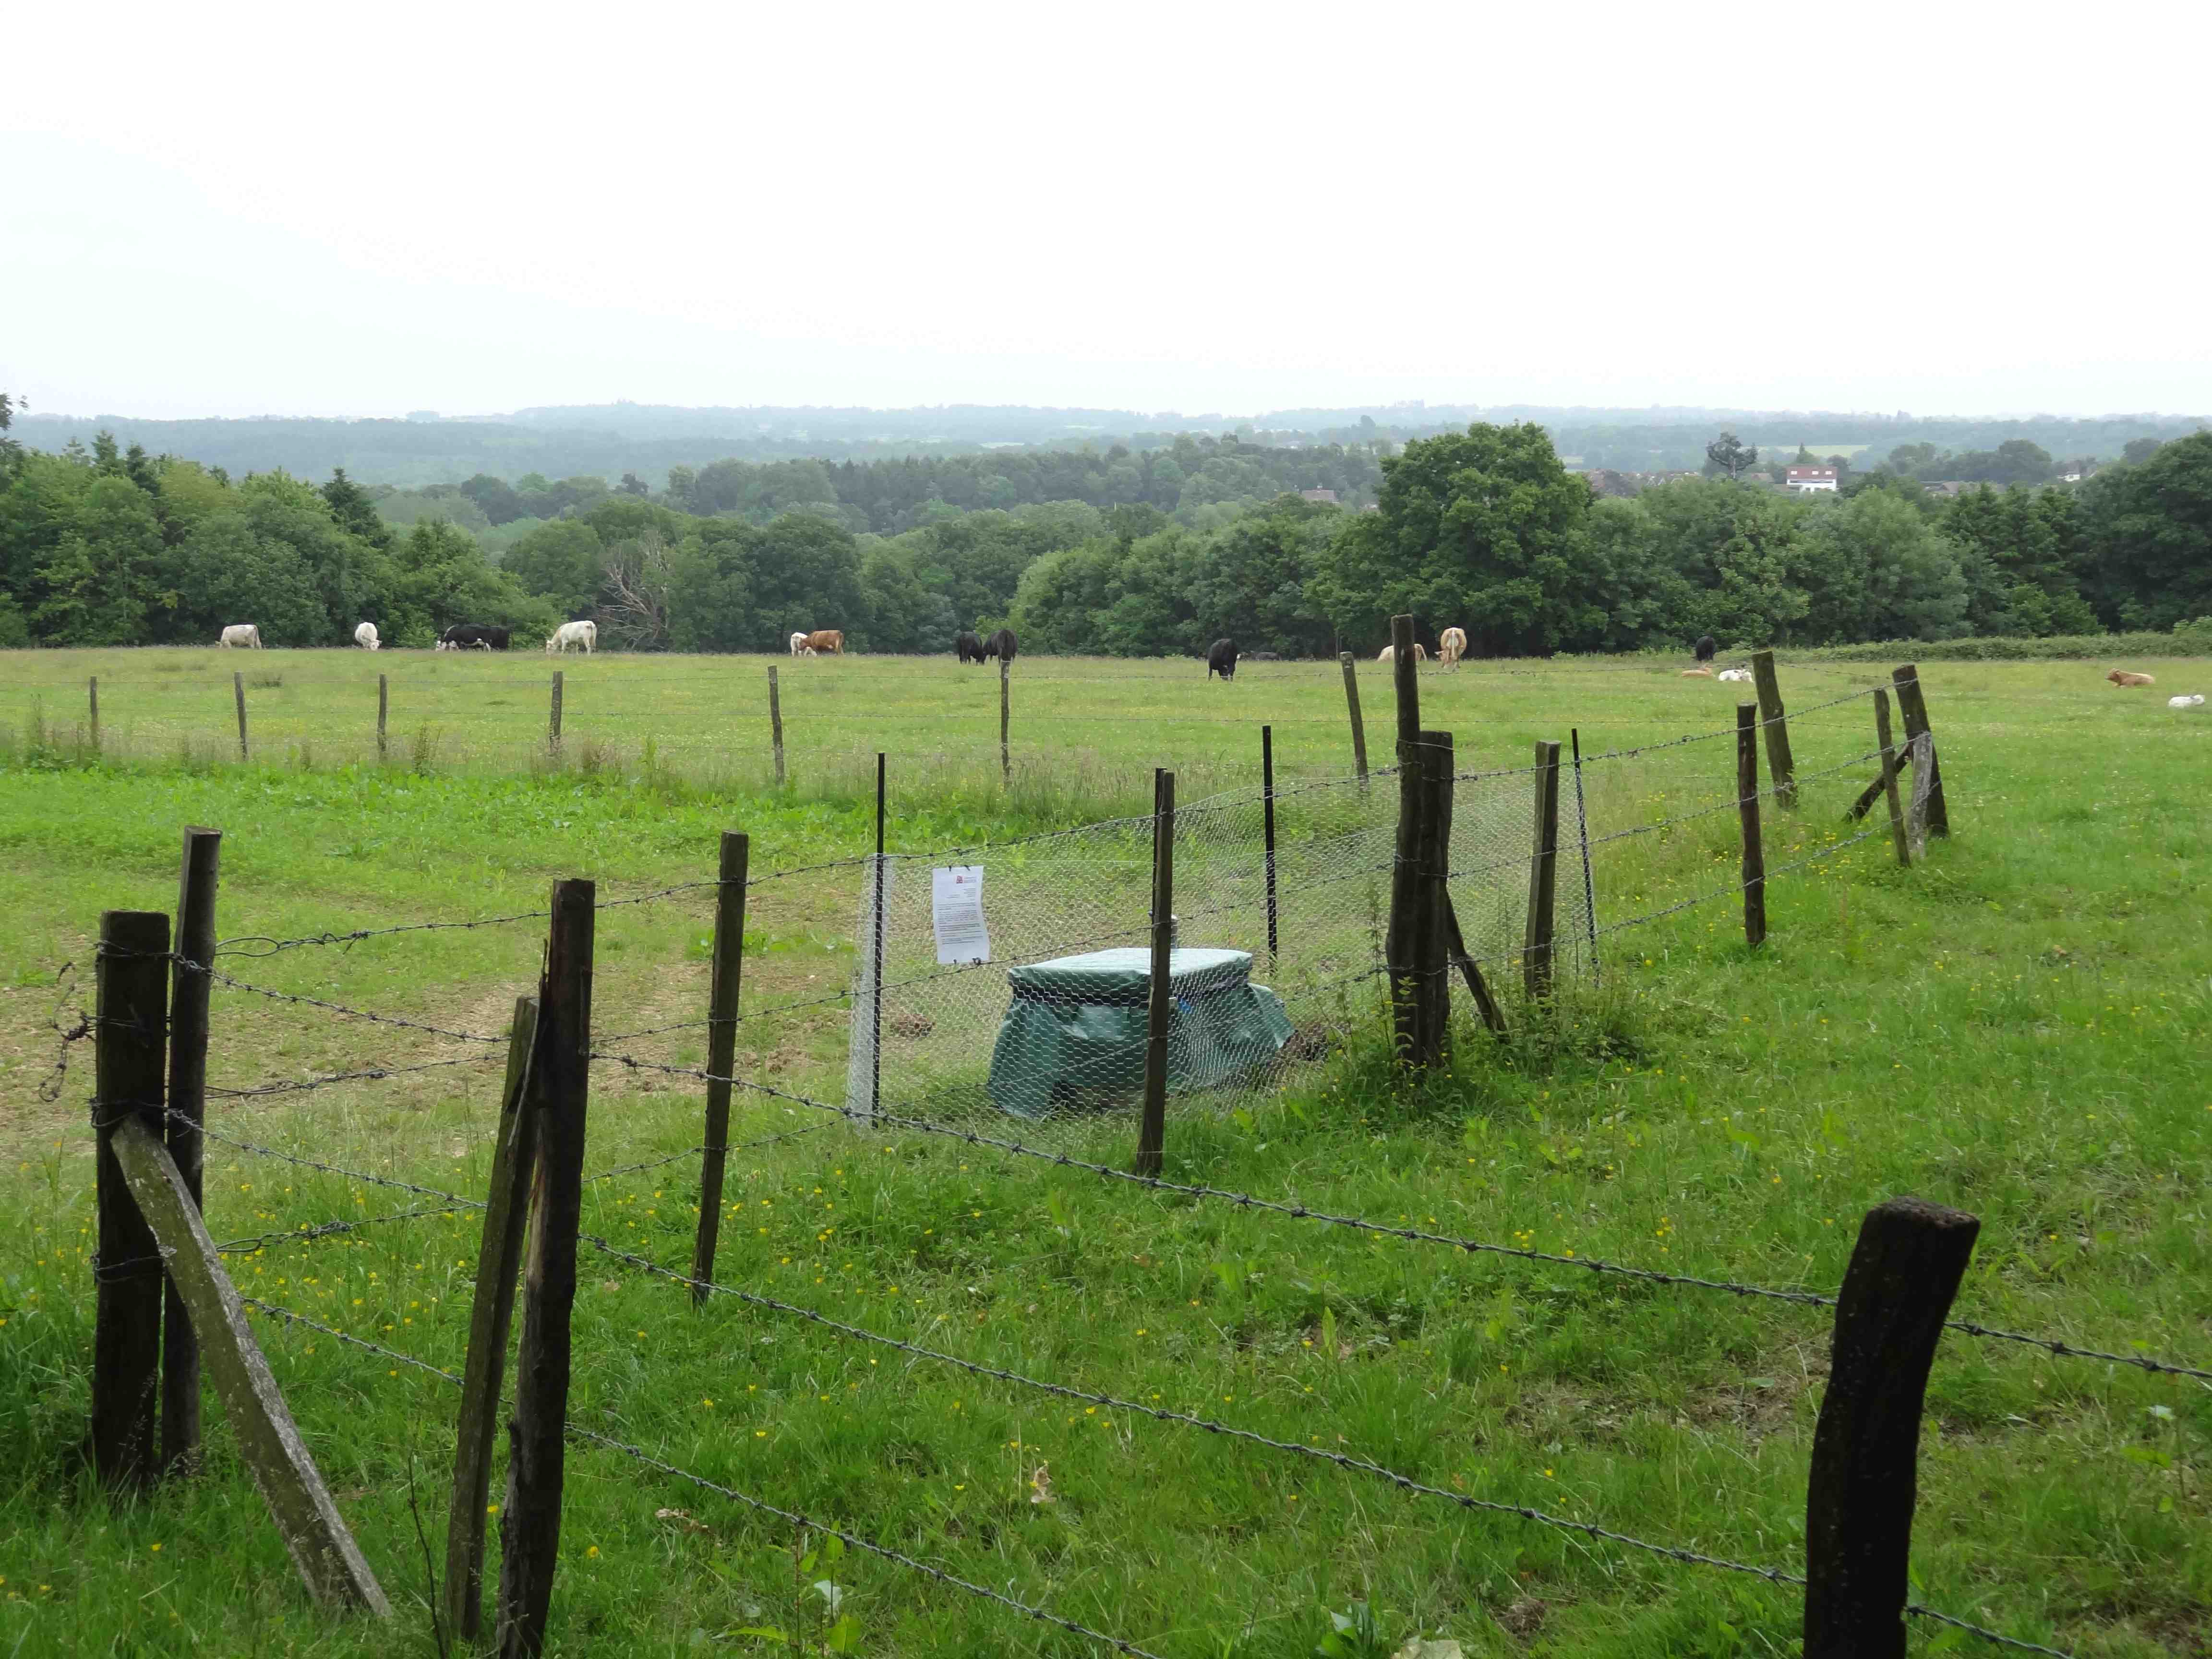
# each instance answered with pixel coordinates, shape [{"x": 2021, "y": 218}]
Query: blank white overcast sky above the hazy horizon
[{"x": 1948, "y": 209}]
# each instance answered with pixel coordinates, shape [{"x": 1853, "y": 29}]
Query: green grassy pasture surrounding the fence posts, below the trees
[{"x": 2016, "y": 1027}]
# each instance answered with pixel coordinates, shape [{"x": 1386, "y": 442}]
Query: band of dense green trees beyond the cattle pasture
[{"x": 1481, "y": 530}]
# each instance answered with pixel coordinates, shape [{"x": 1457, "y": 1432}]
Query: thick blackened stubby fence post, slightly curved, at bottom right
[{"x": 1859, "y": 1503}]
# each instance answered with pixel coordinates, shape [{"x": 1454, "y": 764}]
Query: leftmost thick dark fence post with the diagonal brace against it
[{"x": 129, "y": 1027}]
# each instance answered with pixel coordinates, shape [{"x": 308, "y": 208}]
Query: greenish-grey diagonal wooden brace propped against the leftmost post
[{"x": 306, "y": 1519}]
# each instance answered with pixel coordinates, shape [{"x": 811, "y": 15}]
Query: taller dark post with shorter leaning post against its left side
[{"x": 530, "y": 1525}]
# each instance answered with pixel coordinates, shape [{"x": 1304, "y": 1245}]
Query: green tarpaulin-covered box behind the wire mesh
[{"x": 1074, "y": 1034}]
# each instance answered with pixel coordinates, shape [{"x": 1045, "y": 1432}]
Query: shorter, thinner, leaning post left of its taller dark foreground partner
[{"x": 492, "y": 1313}]
